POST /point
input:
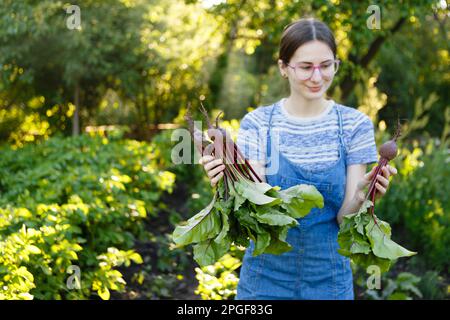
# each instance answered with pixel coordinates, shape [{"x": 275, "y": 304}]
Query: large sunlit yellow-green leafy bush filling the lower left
[{"x": 74, "y": 202}]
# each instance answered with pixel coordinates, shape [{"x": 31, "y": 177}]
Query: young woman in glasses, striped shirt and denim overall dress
[{"x": 307, "y": 139}]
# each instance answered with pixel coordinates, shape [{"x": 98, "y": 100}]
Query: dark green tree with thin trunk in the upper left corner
[{"x": 68, "y": 65}]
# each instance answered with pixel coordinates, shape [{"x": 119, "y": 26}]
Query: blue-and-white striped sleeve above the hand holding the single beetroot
[{"x": 362, "y": 148}]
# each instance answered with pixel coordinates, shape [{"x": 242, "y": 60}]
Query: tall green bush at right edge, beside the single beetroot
[{"x": 418, "y": 203}]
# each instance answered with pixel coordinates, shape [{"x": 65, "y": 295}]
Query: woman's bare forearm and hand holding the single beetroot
[{"x": 357, "y": 180}]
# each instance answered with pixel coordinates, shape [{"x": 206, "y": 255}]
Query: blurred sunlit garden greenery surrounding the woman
[{"x": 91, "y": 91}]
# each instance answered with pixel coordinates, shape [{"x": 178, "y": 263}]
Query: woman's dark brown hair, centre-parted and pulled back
[{"x": 301, "y": 31}]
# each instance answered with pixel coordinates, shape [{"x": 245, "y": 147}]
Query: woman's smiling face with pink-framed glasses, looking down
[{"x": 307, "y": 81}]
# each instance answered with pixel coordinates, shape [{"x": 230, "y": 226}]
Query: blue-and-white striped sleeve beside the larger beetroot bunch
[{"x": 250, "y": 138}]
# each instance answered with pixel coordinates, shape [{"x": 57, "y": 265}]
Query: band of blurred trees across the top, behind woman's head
[{"x": 182, "y": 50}]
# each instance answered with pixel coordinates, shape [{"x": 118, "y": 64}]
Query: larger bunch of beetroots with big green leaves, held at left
[{"x": 243, "y": 207}]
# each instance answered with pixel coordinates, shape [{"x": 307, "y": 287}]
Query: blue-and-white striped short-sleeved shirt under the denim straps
[{"x": 311, "y": 142}]
